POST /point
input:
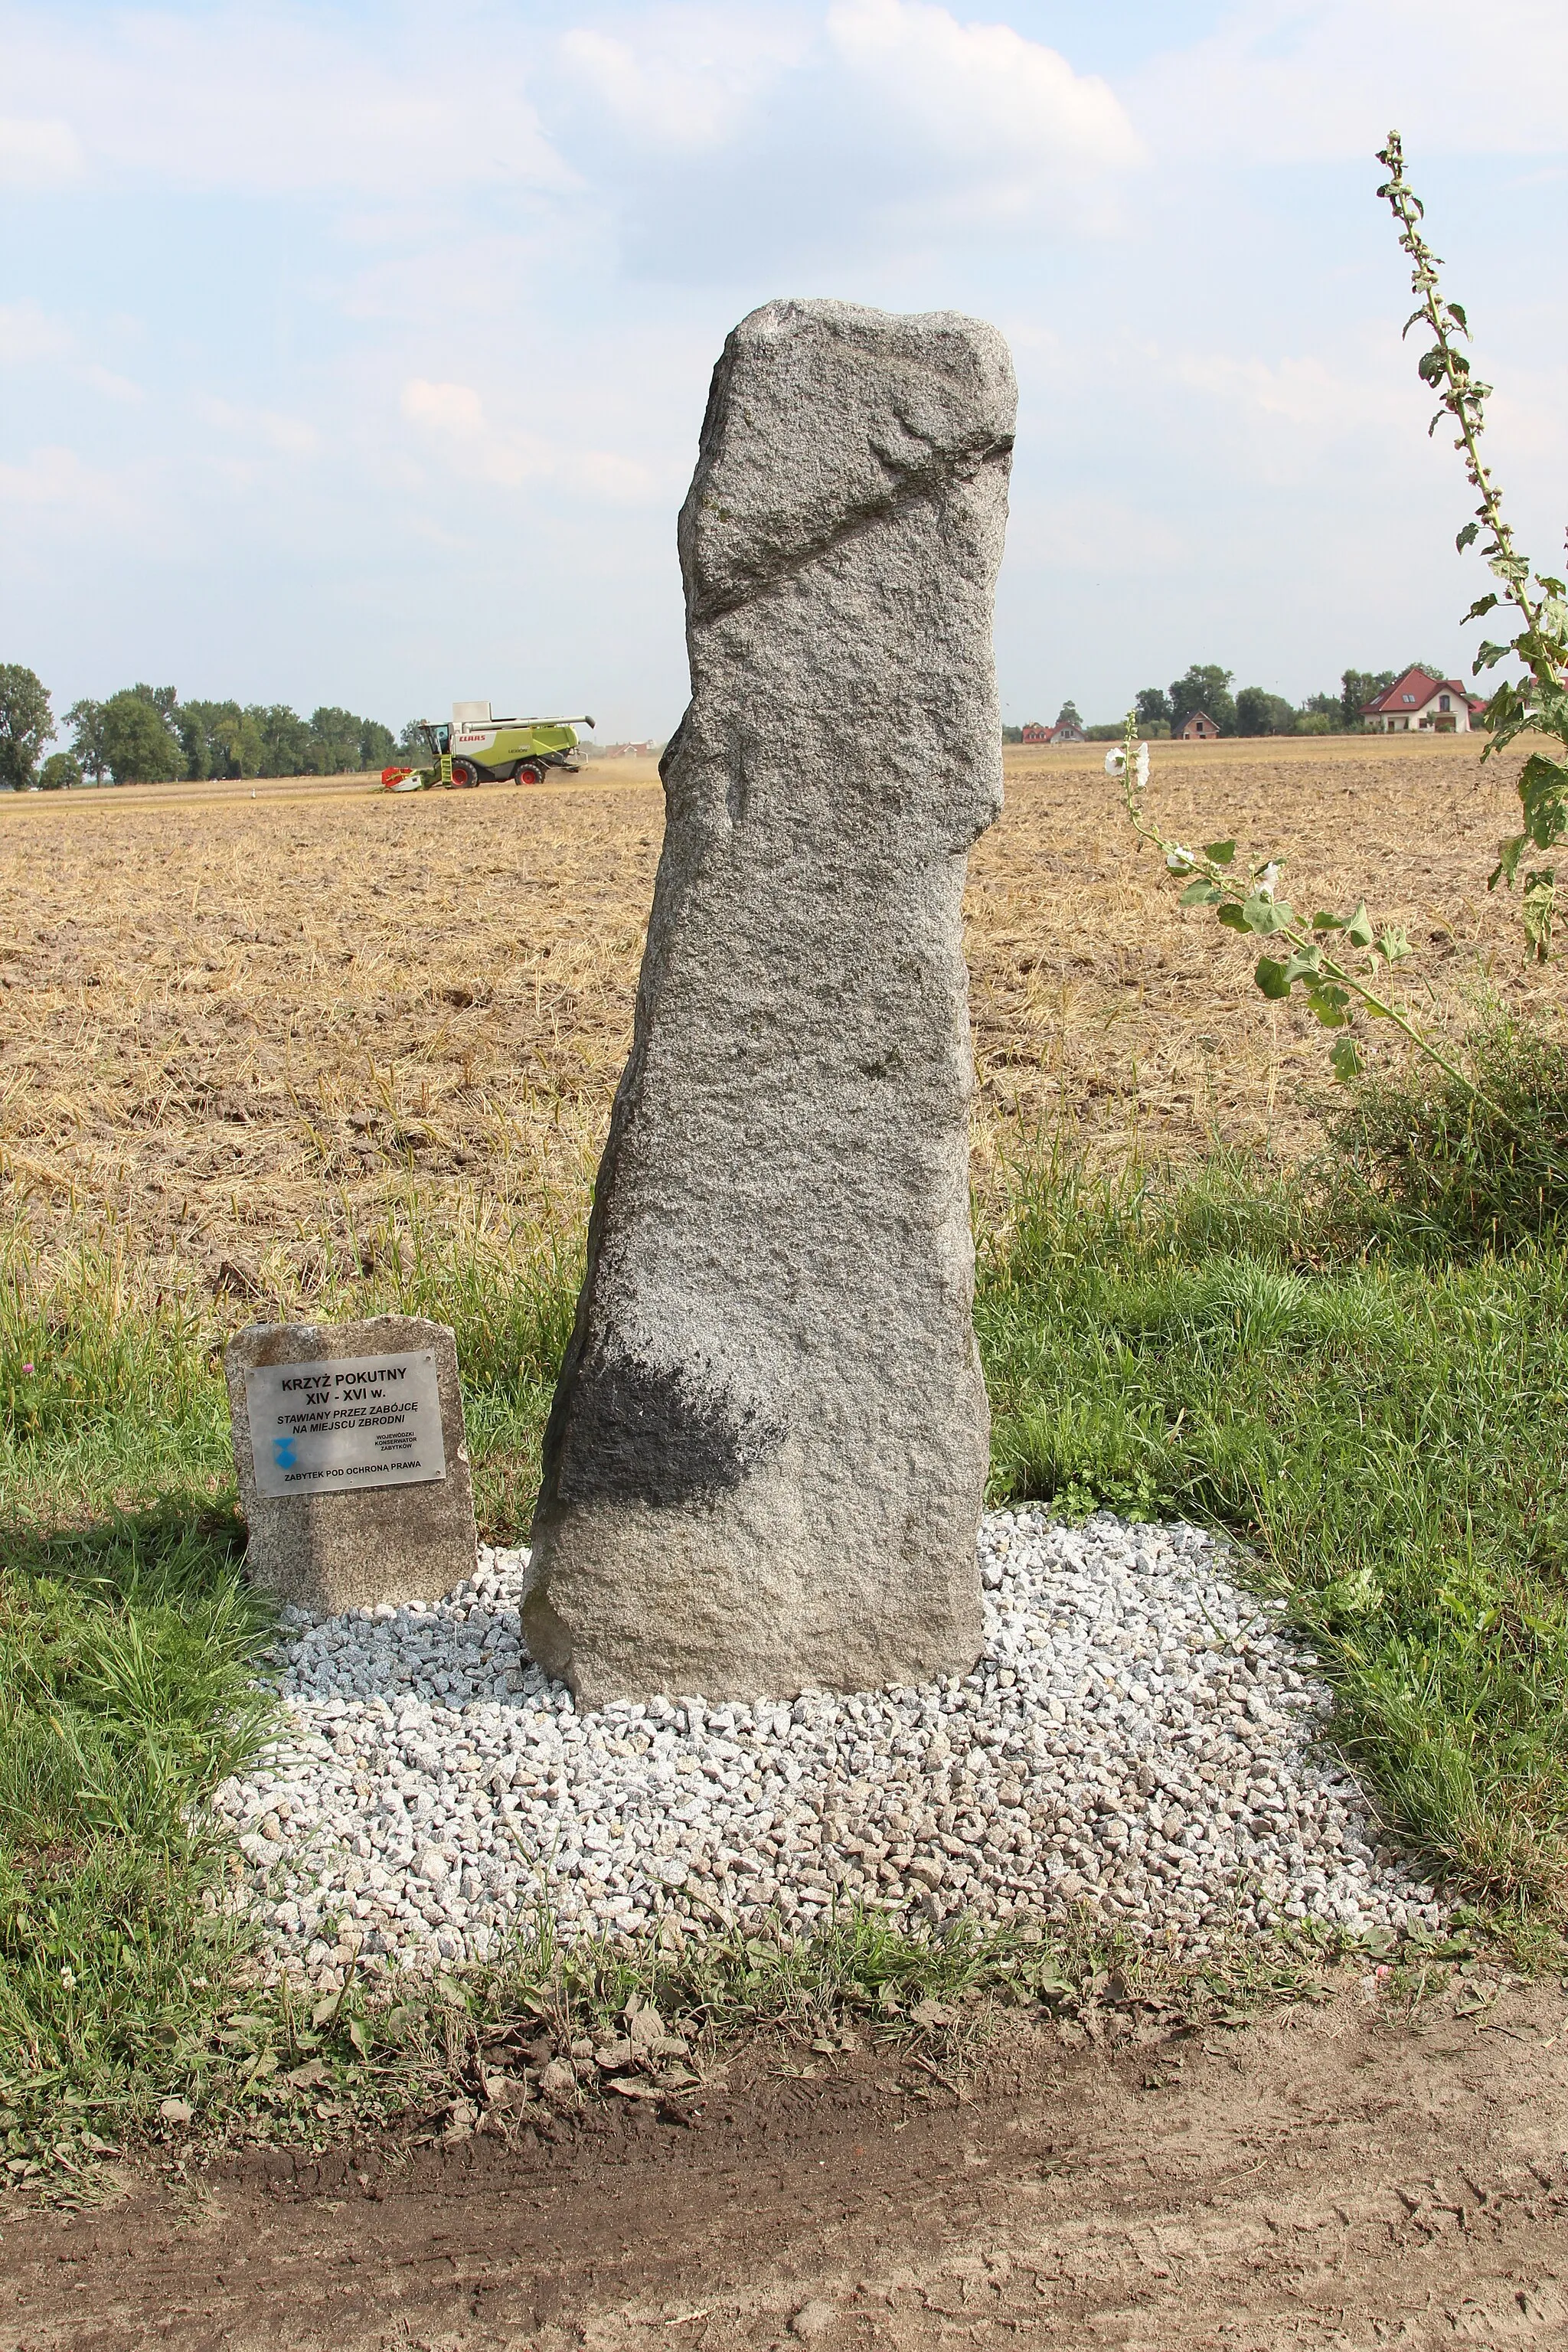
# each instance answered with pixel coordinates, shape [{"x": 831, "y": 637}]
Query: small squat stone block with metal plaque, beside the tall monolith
[{"x": 351, "y": 1459}]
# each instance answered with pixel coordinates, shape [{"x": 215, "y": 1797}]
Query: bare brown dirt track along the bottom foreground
[{"x": 1336, "y": 2177}]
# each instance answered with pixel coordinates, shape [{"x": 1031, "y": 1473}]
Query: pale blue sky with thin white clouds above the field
[{"x": 356, "y": 354}]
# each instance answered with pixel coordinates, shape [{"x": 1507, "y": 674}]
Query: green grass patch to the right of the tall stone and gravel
[{"x": 1386, "y": 1434}]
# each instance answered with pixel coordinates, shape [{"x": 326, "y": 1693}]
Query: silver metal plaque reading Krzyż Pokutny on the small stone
[{"x": 335, "y": 1426}]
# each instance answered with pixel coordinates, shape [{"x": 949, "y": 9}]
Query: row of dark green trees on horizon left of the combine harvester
[{"x": 147, "y": 735}]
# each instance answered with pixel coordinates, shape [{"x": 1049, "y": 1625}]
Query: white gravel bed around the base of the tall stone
[{"x": 1139, "y": 1737}]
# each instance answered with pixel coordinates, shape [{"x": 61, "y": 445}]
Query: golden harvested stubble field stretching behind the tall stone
[{"x": 248, "y": 1029}]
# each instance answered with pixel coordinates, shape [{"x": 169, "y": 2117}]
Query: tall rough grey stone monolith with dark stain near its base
[{"x": 770, "y": 1438}]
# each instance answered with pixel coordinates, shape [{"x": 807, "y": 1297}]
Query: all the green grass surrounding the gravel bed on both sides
[{"x": 1348, "y": 1375}]
